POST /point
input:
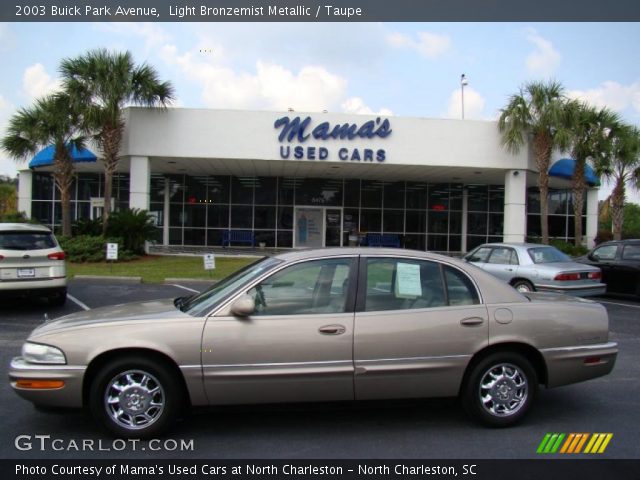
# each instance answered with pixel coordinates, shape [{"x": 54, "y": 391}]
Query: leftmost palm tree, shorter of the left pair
[{"x": 50, "y": 121}]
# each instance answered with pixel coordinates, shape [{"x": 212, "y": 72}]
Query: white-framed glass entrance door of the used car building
[{"x": 317, "y": 227}]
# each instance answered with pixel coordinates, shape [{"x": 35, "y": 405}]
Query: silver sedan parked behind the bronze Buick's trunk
[{"x": 531, "y": 267}]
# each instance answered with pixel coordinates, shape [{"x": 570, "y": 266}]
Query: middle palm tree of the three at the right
[{"x": 590, "y": 140}]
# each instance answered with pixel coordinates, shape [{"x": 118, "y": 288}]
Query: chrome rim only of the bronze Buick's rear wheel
[{"x": 503, "y": 390}]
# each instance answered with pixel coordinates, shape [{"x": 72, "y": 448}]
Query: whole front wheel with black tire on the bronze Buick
[{"x": 135, "y": 397}]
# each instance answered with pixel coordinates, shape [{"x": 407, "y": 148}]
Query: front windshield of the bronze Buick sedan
[{"x": 203, "y": 303}]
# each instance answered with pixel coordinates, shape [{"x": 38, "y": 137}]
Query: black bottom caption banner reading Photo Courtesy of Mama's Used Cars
[{"x": 330, "y": 469}]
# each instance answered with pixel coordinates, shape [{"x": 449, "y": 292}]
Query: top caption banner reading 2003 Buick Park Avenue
[{"x": 318, "y": 10}]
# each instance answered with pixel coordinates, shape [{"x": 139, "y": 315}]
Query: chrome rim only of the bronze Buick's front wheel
[{"x": 134, "y": 399}]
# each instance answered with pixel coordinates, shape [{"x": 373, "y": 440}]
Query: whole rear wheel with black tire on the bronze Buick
[{"x": 500, "y": 389}]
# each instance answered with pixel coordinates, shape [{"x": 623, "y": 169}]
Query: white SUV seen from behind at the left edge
[{"x": 32, "y": 263}]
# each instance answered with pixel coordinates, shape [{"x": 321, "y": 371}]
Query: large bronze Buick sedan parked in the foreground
[{"x": 319, "y": 325}]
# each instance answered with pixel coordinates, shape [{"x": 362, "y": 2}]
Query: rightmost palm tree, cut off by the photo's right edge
[{"x": 622, "y": 167}]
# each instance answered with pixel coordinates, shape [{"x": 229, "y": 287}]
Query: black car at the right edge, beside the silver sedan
[{"x": 620, "y": 264}]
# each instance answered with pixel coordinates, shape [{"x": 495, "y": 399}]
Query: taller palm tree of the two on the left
[{"x": 104, "y": 83}]
